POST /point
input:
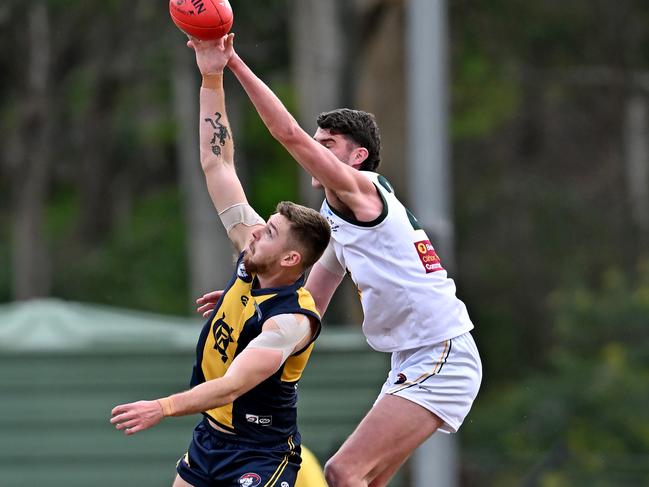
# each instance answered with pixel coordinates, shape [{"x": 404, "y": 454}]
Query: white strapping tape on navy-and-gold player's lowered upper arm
[{"x": 291, "y": 330}]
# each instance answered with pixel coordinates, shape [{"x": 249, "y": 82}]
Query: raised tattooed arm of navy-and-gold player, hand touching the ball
[{"x": 216, "y": 142}]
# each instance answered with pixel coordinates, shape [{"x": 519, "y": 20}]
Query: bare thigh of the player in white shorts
[{"x": 385, "y": 438}]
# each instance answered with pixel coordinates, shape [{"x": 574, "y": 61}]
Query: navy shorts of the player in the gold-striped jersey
[{"x": 217, "y": 459}]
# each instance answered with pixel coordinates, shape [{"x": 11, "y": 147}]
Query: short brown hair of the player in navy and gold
[{"x": 309, "y": 230}]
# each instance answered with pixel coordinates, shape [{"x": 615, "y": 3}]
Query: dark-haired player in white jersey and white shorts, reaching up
[{"x": 408, "y": 301}]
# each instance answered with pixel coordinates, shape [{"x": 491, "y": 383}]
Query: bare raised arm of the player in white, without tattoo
[{"x": 348, "y": 184}]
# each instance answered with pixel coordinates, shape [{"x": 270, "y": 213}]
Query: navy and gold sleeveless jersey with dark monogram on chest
[{"x": 269, "y": 410}]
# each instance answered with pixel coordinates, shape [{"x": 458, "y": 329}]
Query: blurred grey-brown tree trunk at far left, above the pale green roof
[{"x": 29, "y": 157}]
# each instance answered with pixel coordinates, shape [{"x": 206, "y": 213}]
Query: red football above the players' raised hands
[{"x": 203, "y": 19}]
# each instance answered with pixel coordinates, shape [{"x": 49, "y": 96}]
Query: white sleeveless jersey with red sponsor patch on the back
[{"x": 407, "y": 297}]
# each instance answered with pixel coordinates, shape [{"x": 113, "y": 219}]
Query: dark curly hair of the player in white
[{"x": 358, "y": 126}]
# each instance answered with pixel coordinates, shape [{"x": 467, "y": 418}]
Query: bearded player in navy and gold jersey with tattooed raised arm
[{"x": 256, "y": 343}]
